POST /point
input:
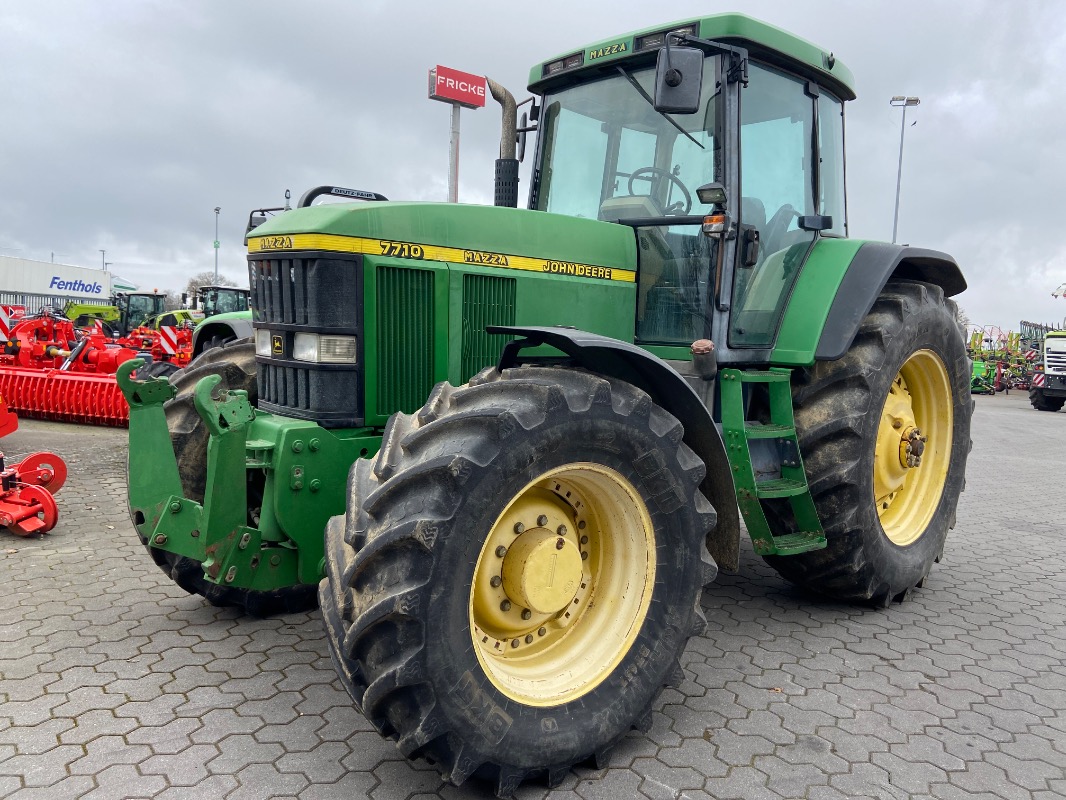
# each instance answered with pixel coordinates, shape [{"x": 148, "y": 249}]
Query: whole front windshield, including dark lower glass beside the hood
[{"x": 607, "y": 154}]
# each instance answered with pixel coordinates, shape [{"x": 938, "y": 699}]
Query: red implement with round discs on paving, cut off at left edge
[{"x": 27, "y": 505}]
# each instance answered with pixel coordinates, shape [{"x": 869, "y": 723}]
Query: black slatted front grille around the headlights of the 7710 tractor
[{"x": 310, "y": 293}]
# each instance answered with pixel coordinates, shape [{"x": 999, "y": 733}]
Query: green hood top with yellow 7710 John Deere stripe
[{"x": 439, "y": 231}]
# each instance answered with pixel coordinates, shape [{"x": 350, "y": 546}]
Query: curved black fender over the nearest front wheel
[{"x": 668, "y": 388}]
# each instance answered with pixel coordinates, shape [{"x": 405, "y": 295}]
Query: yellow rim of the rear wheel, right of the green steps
[{"x": 914, "y": 447}]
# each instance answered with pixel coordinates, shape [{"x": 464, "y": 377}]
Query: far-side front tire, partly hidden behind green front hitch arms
[{"x": 236, "y": 364}]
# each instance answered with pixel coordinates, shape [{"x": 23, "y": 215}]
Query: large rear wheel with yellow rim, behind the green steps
[{"x": 886, "y": 522}]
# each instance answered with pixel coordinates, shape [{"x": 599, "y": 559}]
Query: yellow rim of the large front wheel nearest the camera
[{"x": 562, "y": 585}]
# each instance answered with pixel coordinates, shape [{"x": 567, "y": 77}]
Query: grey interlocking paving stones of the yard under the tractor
[{"x": 116, "y": 684}]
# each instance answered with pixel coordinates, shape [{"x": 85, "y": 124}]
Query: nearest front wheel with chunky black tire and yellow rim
[{"x": 518, "y": 573}]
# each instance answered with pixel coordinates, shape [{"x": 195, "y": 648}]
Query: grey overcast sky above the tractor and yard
[{"x": 124, "y": 124}]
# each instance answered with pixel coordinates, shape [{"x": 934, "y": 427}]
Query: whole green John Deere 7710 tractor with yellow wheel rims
[{"x": 528, "y": 434}]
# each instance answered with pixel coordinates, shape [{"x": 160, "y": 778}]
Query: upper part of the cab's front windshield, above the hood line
[{"x": 609, "y": 155}]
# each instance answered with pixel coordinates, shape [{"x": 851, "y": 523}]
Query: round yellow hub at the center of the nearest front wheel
[{"x": 542, "y": 571}]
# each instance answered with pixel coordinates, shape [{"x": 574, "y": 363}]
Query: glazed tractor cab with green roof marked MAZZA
[{"x": 760, "y": 148}]
